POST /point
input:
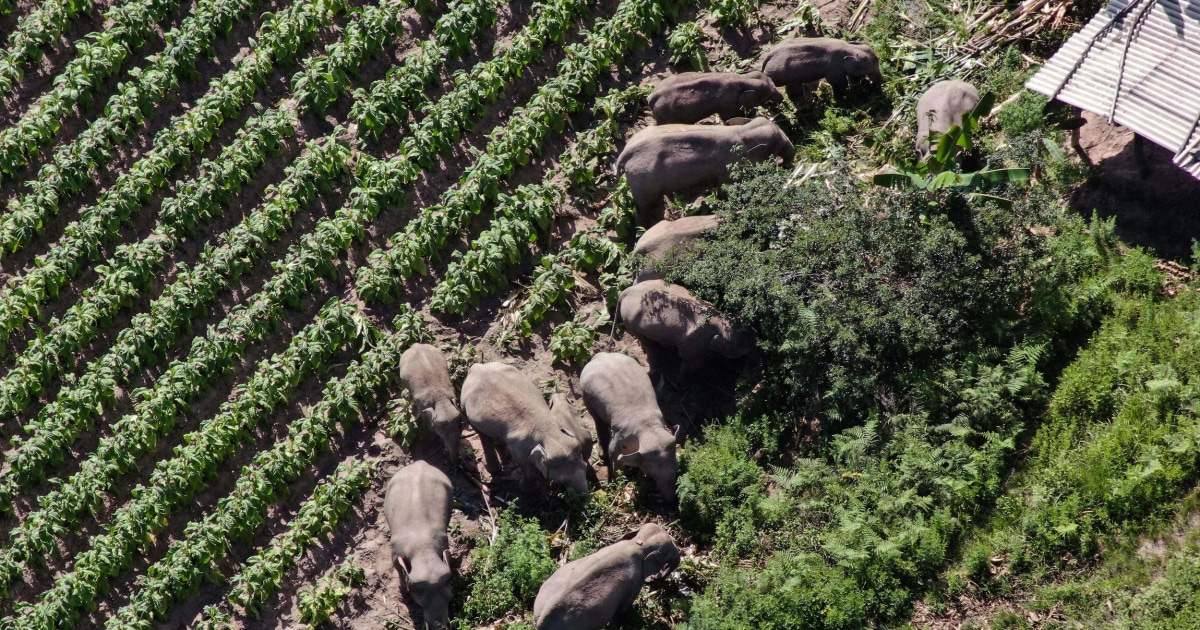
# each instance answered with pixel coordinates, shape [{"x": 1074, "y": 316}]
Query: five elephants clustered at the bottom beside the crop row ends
[{"x": 547, "y": 445}]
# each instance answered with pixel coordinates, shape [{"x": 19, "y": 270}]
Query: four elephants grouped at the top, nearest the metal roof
[{"x": 677, "y": 153}]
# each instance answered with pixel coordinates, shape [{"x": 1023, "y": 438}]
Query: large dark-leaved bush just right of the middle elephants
[{"x": 861, "y": 297}]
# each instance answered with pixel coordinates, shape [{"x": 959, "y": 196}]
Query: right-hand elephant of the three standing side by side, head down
[{"x": 629, "y": 423}]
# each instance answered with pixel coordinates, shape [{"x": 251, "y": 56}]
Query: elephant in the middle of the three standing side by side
[{"x": 508, "y": 410}]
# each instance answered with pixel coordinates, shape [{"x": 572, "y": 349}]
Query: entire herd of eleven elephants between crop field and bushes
[{"x": 549, "y": 443}]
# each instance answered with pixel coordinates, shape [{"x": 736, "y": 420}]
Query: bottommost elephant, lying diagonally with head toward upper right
[{"x": 593, "y": 591}]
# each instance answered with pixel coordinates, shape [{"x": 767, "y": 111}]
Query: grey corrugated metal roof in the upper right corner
[{"x": 1137, "y": 62}]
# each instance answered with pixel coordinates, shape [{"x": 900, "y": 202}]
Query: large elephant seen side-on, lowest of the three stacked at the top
[{"x": 668, "y": 159}]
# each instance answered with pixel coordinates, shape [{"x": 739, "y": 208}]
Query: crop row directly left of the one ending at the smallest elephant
[{"x": 178, "y": 479}]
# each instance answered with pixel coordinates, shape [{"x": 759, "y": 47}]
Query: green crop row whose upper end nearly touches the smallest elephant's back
[{"x": 239, "y": 515}]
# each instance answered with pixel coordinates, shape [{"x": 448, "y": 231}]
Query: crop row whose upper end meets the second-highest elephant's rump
[{"x": 520, "y": 218}]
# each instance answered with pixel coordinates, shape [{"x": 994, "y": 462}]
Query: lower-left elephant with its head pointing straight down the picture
[{"x": 418, "y": 511}]
